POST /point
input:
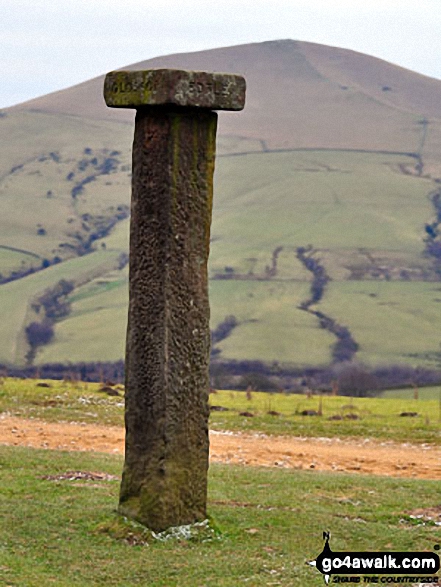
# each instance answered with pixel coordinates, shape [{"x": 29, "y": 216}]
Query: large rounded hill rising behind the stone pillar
[{"x": 327, "y": 182}]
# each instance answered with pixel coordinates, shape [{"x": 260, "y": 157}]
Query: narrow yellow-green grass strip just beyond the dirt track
[{"x": 378, "y": 417}]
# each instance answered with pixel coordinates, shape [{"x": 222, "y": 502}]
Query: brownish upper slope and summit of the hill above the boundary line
[{"x": 300, "y": 95}]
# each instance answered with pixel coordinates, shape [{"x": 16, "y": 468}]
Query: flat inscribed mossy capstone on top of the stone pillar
[{"x": 158, "y": 87}]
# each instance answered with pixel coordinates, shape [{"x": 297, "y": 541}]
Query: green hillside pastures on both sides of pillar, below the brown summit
[{"x": 351, "y": 207}]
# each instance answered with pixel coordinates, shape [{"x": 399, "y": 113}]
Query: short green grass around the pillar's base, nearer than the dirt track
[{"x": 269, "y": 524}]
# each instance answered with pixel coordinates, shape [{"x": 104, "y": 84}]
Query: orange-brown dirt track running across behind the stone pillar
[{"x": 321, "y": 454}]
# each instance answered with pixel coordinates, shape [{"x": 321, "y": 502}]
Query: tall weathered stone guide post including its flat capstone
[{"x": 164, "y": 480}]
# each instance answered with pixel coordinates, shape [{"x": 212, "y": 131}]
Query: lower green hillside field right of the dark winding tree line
[{"x": 393, "y": 322}]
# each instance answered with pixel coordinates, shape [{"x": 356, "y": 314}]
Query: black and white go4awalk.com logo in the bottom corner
[{"x": 376, "y": 567}]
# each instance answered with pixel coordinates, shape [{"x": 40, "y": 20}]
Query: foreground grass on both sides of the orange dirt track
[{"x": 58, "y": 523}]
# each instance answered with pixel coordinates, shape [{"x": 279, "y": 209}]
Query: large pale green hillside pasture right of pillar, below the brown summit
[{"x": 331, "y": 200}]
